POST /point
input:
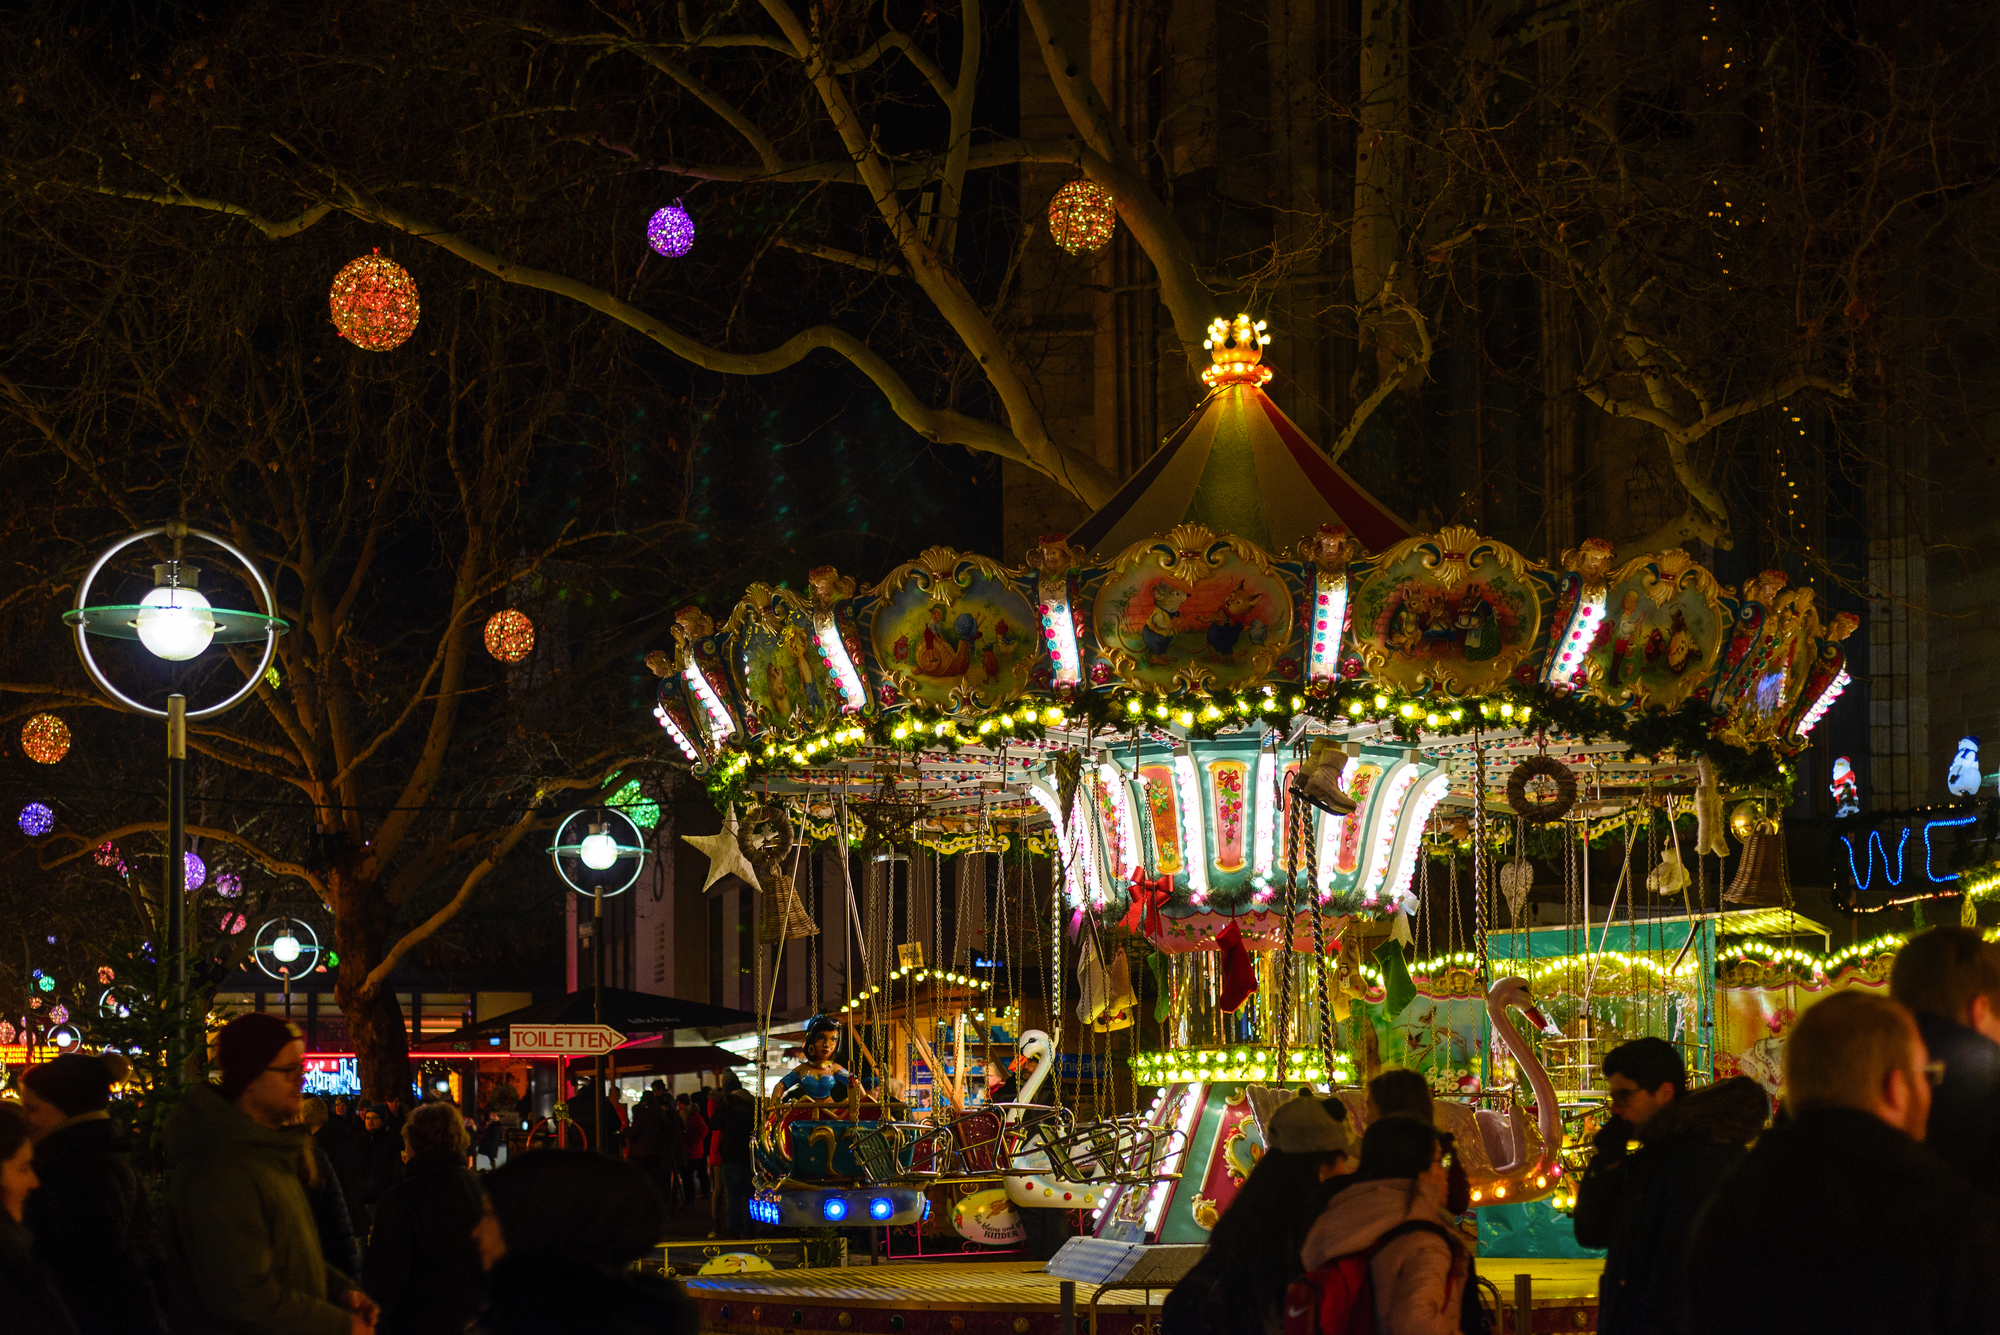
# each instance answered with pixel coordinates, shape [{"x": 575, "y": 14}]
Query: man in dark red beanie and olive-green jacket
[{"x": 243, "y": 1246}]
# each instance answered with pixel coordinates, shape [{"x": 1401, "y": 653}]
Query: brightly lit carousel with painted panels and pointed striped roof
[{"x": 1259, "y": 732}]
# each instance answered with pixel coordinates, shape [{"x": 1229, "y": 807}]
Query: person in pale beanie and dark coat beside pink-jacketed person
[{"x": 1253, "y": 1248}]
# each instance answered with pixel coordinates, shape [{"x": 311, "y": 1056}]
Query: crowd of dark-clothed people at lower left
[{"x": 293, "y": 1216}]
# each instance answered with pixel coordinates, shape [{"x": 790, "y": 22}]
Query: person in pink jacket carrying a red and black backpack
[{"x": 1385, "y": 1246}]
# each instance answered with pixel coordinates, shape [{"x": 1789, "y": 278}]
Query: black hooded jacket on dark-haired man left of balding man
[{"x": 1643, "y": 1206}]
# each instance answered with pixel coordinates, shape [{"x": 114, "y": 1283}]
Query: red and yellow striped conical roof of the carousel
[{"x": 1245, "y": 469}]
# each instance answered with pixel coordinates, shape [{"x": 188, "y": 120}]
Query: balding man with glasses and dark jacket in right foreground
[{"x": 1839, "y": 1220}]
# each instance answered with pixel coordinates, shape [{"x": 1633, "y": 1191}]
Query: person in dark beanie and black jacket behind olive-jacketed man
[{"x": 93, "y": 1220}]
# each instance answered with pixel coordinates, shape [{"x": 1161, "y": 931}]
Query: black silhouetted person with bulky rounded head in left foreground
[{"x": 559, "y": 1238}]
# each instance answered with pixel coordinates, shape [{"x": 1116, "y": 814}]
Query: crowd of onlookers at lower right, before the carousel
[{"x": 1865, "y": 1202}]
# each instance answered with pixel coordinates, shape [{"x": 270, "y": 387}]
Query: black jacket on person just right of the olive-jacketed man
[{"x": 423, "y": 1266}]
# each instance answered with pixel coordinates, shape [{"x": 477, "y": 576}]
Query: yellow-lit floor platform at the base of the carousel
[{"x": 1017, "y": 1298}]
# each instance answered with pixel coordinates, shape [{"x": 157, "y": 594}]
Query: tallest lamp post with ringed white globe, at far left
[{"x": 175, "y": 623}]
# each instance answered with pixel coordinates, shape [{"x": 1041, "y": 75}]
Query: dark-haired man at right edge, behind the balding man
[{"x": 1951, "y": 980}]
